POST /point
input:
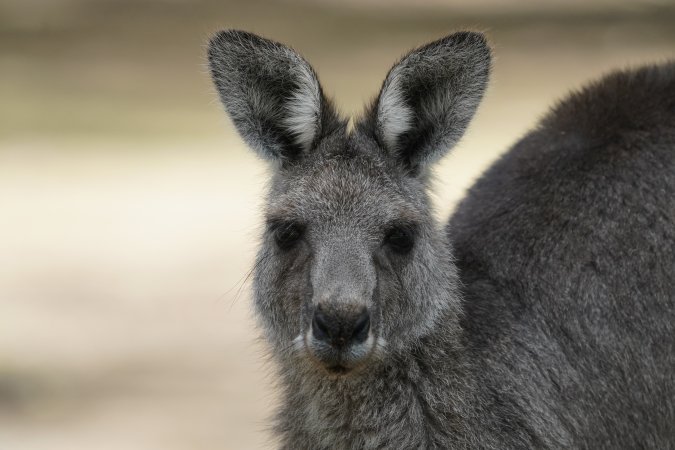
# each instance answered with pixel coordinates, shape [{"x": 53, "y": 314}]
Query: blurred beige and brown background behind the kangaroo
[{"x": 129, "y": 209}]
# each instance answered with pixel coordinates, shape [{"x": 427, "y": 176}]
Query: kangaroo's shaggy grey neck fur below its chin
[{"x": 386, "y": 406}]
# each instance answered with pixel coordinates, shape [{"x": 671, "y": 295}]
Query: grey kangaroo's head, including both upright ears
[{"x": 352, "y": 268}]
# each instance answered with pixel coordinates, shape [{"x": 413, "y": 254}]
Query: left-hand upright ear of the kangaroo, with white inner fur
[{"x": 271, "y": 94}]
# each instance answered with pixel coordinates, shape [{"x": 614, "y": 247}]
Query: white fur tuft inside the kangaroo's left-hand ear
[{"x": 303, "y": 108}]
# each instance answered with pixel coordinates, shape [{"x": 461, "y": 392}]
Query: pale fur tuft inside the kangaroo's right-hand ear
[{"x": 394, "y": 117}]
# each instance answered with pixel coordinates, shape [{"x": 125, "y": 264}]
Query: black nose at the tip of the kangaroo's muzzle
[{"x": 340, "y": 326}]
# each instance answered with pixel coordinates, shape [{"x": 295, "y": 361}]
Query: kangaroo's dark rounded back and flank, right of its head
[{"x": 566, "y": 250}]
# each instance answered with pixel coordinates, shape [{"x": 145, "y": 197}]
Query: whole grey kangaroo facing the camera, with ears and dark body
[{"x": 540, "y": 316}]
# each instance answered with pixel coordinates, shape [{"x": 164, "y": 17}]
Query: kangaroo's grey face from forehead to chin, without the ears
[{"x": 345, "y": 236}]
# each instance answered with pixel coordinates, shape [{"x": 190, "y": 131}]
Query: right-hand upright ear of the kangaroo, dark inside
[{"x": 429, "y": 97}]
